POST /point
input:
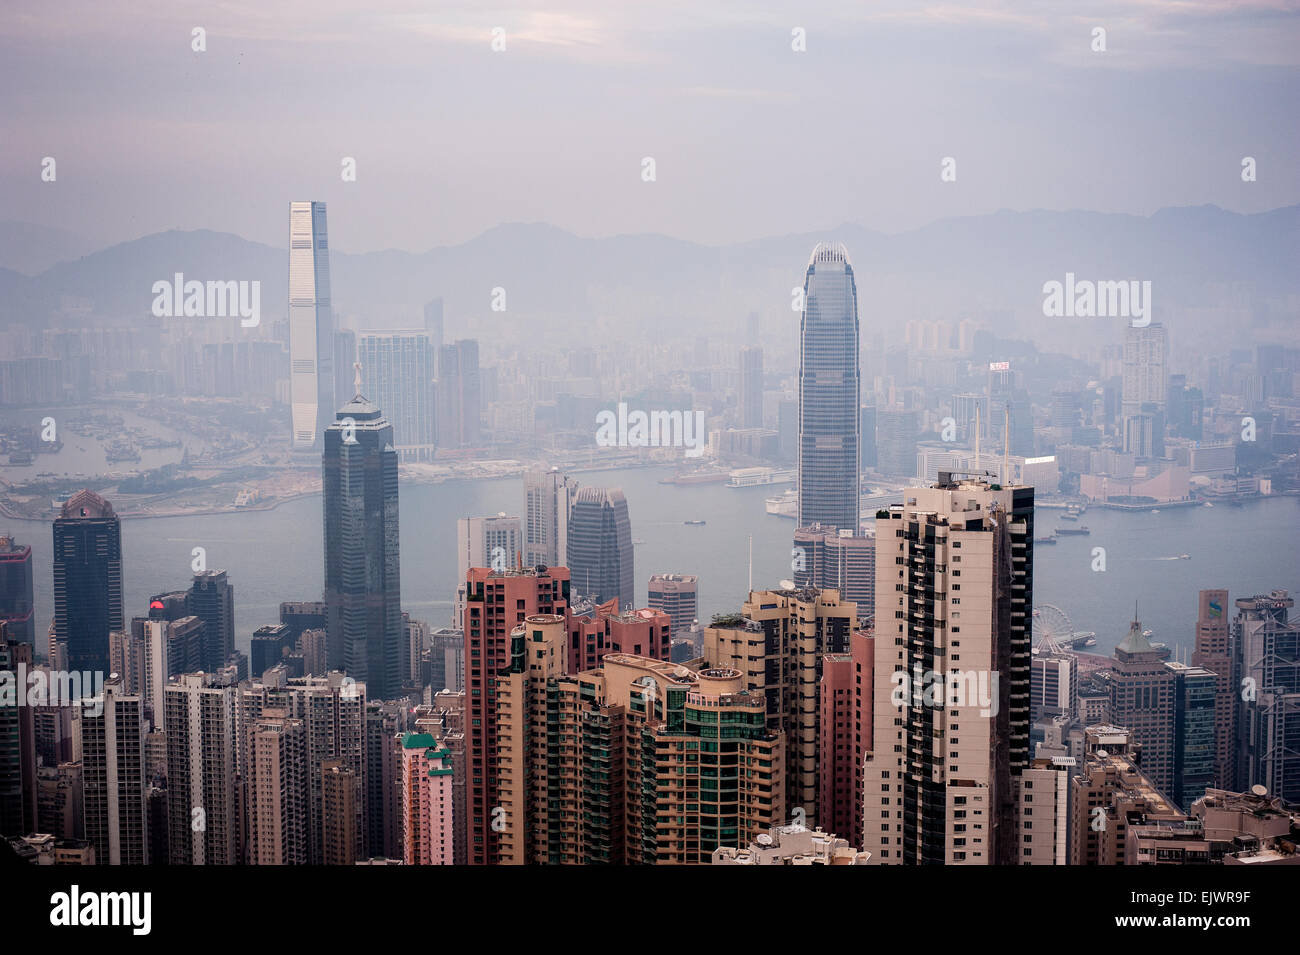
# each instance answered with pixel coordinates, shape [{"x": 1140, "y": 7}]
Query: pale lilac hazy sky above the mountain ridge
[{"x": 749, "y": 137}]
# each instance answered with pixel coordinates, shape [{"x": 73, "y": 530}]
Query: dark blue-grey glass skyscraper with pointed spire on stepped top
[{"x": 363, "y": 589}]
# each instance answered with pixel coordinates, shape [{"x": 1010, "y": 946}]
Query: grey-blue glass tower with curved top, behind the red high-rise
[{"x": 600, "y": 546}]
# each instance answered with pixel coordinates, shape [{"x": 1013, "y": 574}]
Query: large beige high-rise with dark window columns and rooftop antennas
[{"x": 955, "y": 580}]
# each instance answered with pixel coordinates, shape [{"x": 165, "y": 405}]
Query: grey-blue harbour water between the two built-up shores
[{"x": 276, "y": 555}]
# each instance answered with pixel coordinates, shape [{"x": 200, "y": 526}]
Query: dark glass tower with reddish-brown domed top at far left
[{"x": 88, "y": 580}]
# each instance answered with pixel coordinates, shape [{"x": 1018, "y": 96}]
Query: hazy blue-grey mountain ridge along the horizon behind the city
[{"x": 617, "y": 288}]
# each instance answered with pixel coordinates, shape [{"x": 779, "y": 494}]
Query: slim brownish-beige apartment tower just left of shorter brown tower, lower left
[{"x": 278, "y": 791}]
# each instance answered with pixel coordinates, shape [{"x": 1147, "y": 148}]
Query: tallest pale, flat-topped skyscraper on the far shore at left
[{"x": 311, "y": 325}]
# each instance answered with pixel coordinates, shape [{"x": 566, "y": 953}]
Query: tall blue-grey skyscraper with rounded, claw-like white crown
[{"x": 830, "y": 384}]
